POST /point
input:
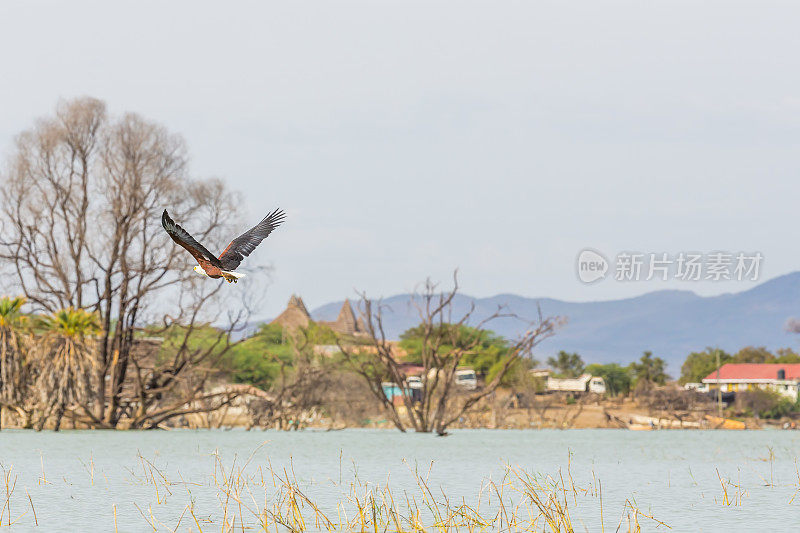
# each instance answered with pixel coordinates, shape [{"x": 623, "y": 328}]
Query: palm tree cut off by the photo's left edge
[{"x": 13, "y": 351}]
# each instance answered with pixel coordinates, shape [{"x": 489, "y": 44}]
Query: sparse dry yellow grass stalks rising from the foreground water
[{"x": 252, "y": 495}]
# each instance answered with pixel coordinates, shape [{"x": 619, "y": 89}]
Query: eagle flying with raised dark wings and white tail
[{"x": 239, "y": 248}]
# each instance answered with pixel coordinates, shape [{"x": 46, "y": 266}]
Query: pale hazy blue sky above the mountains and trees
[{"x": 408, "y": 138}]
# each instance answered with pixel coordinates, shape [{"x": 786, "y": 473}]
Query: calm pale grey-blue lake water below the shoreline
[{"x": 77, "y": 481}]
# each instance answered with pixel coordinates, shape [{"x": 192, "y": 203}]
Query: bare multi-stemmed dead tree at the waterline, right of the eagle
[{"x": 443, "y": 348}]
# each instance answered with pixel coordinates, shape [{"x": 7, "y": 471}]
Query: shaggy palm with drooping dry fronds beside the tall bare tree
[{"x": 66, "y": 359}]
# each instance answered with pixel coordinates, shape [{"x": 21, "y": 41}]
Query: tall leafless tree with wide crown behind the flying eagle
[{"x": 81, "y": 200}]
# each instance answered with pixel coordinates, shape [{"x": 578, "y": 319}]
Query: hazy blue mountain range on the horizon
[{"x": 669, "y": 323}]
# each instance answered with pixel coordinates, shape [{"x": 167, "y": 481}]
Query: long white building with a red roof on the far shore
[{"x": 734, "y": 377}]
